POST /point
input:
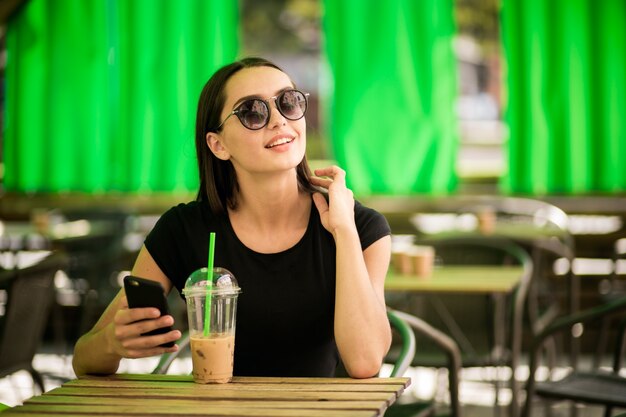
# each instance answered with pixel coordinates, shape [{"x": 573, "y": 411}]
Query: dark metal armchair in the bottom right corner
[{"x": 595, "y": 386}]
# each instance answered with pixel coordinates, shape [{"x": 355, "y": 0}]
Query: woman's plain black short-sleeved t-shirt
[{"x": 285, "y": 312}]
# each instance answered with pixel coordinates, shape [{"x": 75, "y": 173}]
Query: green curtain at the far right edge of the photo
[{"x": 566, "y": 80}]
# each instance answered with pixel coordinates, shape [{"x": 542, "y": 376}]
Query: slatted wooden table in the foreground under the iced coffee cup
[{"x": 154, "y": 395}]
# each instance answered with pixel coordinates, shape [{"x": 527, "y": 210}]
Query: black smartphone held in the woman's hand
[{"x": 142, "y": 292}]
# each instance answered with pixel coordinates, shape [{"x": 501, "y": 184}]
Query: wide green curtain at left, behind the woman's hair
[{"x": 101, "y": 95}]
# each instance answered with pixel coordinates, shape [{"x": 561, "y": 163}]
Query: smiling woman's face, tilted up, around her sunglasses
[{"x": 278, "y": 146}]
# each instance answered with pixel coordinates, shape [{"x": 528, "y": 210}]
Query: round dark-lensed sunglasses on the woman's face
[{"x": 254, "y": 114}]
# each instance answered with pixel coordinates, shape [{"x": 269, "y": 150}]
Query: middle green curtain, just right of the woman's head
[{"x": 391, "y": 116}]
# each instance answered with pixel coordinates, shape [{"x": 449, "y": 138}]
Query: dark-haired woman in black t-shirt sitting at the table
[{"x": 311, "y": 265}]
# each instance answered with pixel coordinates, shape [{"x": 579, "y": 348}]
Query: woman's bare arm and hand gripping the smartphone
[{"x": 117, "y": 334}]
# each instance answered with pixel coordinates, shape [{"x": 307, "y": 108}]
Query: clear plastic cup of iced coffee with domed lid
[{"x": 212, "y": 333}]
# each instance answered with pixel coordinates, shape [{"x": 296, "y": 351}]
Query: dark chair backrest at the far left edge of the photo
[{"x": 30, "y": 293}]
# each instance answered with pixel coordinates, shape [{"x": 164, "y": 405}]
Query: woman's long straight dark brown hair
[{"x": 218, "y": 180}]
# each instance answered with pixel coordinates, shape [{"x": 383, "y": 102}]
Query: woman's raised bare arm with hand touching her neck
[{"x": 362, "y": 330}]
